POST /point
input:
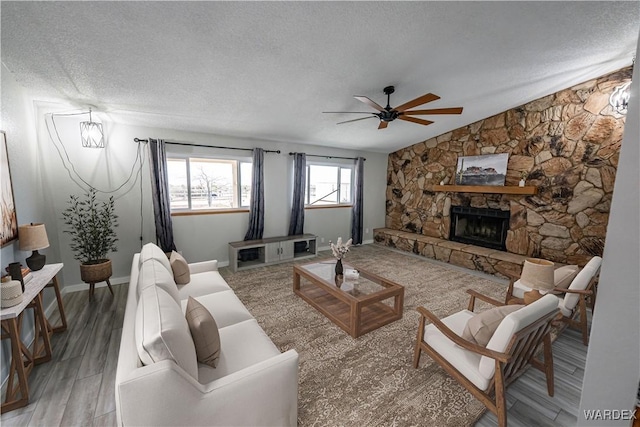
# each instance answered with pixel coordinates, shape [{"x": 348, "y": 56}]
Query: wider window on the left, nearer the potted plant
[{"x": 206, "y": 184}]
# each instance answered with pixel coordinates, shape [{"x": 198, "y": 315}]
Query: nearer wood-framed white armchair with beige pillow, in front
[{"x": 487, "y": 371}]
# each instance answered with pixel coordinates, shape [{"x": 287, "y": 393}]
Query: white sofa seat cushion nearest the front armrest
[{"x": 242, "y": 345}]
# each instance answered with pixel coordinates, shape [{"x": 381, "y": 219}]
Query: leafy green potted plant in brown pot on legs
[{"x": 91, "y": 224}]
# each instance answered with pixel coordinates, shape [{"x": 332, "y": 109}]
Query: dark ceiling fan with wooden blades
[{"x": 402, "y": 112}]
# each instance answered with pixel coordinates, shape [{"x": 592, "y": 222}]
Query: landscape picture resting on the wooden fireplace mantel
[{"x": 490, "y": 169}]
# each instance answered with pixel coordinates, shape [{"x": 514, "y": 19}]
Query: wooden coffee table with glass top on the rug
[{"x": 356, "y": 304}]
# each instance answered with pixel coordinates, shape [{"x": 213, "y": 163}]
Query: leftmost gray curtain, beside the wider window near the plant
[{"x": 160, "y": 195}]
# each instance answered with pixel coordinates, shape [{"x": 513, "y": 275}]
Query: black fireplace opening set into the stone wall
[{"x": 479, "y": 226}]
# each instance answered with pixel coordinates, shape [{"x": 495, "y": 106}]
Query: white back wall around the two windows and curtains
[{"x": 199, "y": 237}]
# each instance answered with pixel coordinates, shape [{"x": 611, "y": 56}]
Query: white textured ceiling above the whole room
[{"x": 268, "y": 69}]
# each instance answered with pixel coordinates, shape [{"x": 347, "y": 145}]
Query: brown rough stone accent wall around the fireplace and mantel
[{"x": 567, "y": 143}]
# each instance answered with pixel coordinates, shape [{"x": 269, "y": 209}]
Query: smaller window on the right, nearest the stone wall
[{"x": 328, "y": 185}]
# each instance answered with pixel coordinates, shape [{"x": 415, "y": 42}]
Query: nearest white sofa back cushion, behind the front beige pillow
[{"x": 162, "y": 332}]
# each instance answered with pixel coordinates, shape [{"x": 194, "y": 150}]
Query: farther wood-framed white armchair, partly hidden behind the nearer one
[{"x": 573, "y": 301}]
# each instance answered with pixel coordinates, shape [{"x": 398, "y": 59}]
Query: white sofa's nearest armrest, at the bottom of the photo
[{"x": 163, "y": 394}]
